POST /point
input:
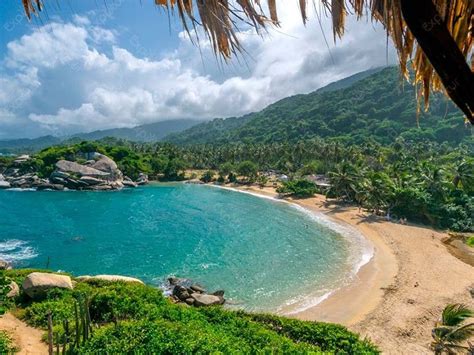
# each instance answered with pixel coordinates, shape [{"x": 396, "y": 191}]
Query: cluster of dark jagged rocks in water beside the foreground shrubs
[{"x": 190, "y": 293}]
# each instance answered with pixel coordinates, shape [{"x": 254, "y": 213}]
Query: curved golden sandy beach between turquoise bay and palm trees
[{"x": 397, "y": 296}]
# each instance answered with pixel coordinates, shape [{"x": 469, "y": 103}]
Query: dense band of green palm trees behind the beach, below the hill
[{"x": 425, "y": 182}]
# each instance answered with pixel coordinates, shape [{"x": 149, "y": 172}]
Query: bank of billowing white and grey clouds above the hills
[{"x": 69, "y": 77}]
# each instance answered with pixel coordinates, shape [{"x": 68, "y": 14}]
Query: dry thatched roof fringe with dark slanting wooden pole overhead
[{"x": 435, "y": 36}]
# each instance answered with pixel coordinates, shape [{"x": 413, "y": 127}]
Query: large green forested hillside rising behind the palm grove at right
[{"x": 380, "y": 107}]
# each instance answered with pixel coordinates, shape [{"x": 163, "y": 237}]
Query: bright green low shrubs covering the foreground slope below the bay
[{"x": 134, "y": 318}]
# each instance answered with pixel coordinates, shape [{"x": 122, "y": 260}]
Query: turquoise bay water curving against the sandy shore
[{"x": 264, "y": 254}]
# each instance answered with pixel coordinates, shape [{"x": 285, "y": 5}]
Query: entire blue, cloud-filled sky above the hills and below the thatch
[{"x": 85, "y": 65}]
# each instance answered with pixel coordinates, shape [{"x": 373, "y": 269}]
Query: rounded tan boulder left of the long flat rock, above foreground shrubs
[{"x": 37, "y": 284}]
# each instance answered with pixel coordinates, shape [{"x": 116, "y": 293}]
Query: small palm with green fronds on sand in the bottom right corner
[{"x": 450, "y": 332}]
